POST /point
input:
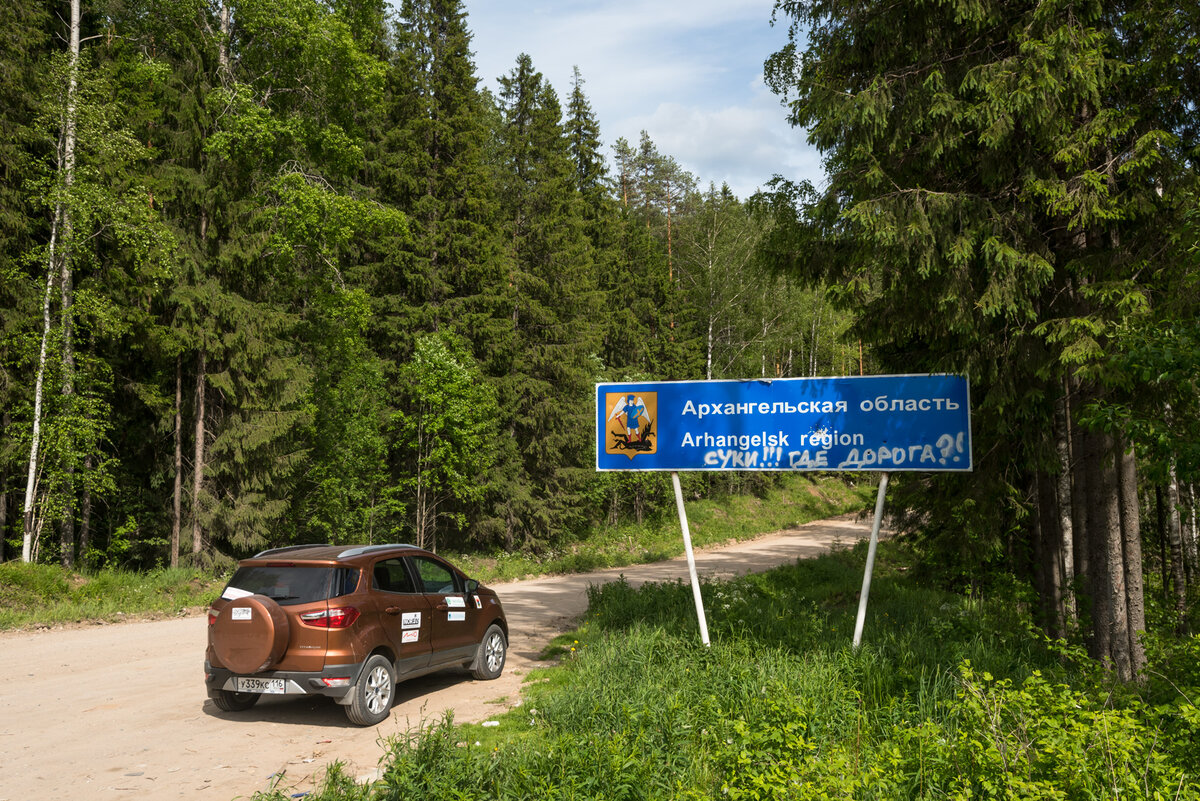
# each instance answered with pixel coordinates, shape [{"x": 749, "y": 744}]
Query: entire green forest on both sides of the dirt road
[{"x": 281, "y": 272}]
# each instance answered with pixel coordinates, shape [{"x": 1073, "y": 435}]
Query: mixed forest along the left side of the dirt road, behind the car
[{"x": 283, "y": 273}]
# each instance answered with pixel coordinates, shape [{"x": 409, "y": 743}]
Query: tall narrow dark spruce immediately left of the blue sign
[{"x": 545, "y": 390}]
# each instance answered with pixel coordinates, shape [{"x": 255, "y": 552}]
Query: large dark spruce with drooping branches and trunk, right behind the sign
[{"x": 991, "y": 170}]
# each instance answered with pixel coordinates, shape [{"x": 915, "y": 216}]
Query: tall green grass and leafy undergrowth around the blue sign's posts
[{"x": 951, "y": 697}]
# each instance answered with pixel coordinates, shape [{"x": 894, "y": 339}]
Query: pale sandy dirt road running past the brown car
[{"x": 119, "y": 712}]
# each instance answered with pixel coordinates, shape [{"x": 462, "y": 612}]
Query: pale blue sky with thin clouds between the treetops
[{"x": 688, "y": 73}]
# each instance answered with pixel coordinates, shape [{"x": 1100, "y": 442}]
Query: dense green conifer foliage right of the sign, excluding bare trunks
[{"x": 1007, "y": 200}]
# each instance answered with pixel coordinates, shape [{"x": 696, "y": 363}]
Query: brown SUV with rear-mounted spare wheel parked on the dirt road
[{"x": 347, "y": 623}]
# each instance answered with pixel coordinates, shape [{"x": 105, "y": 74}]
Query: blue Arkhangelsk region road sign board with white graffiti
[{"x": 875, "y": 423}]
